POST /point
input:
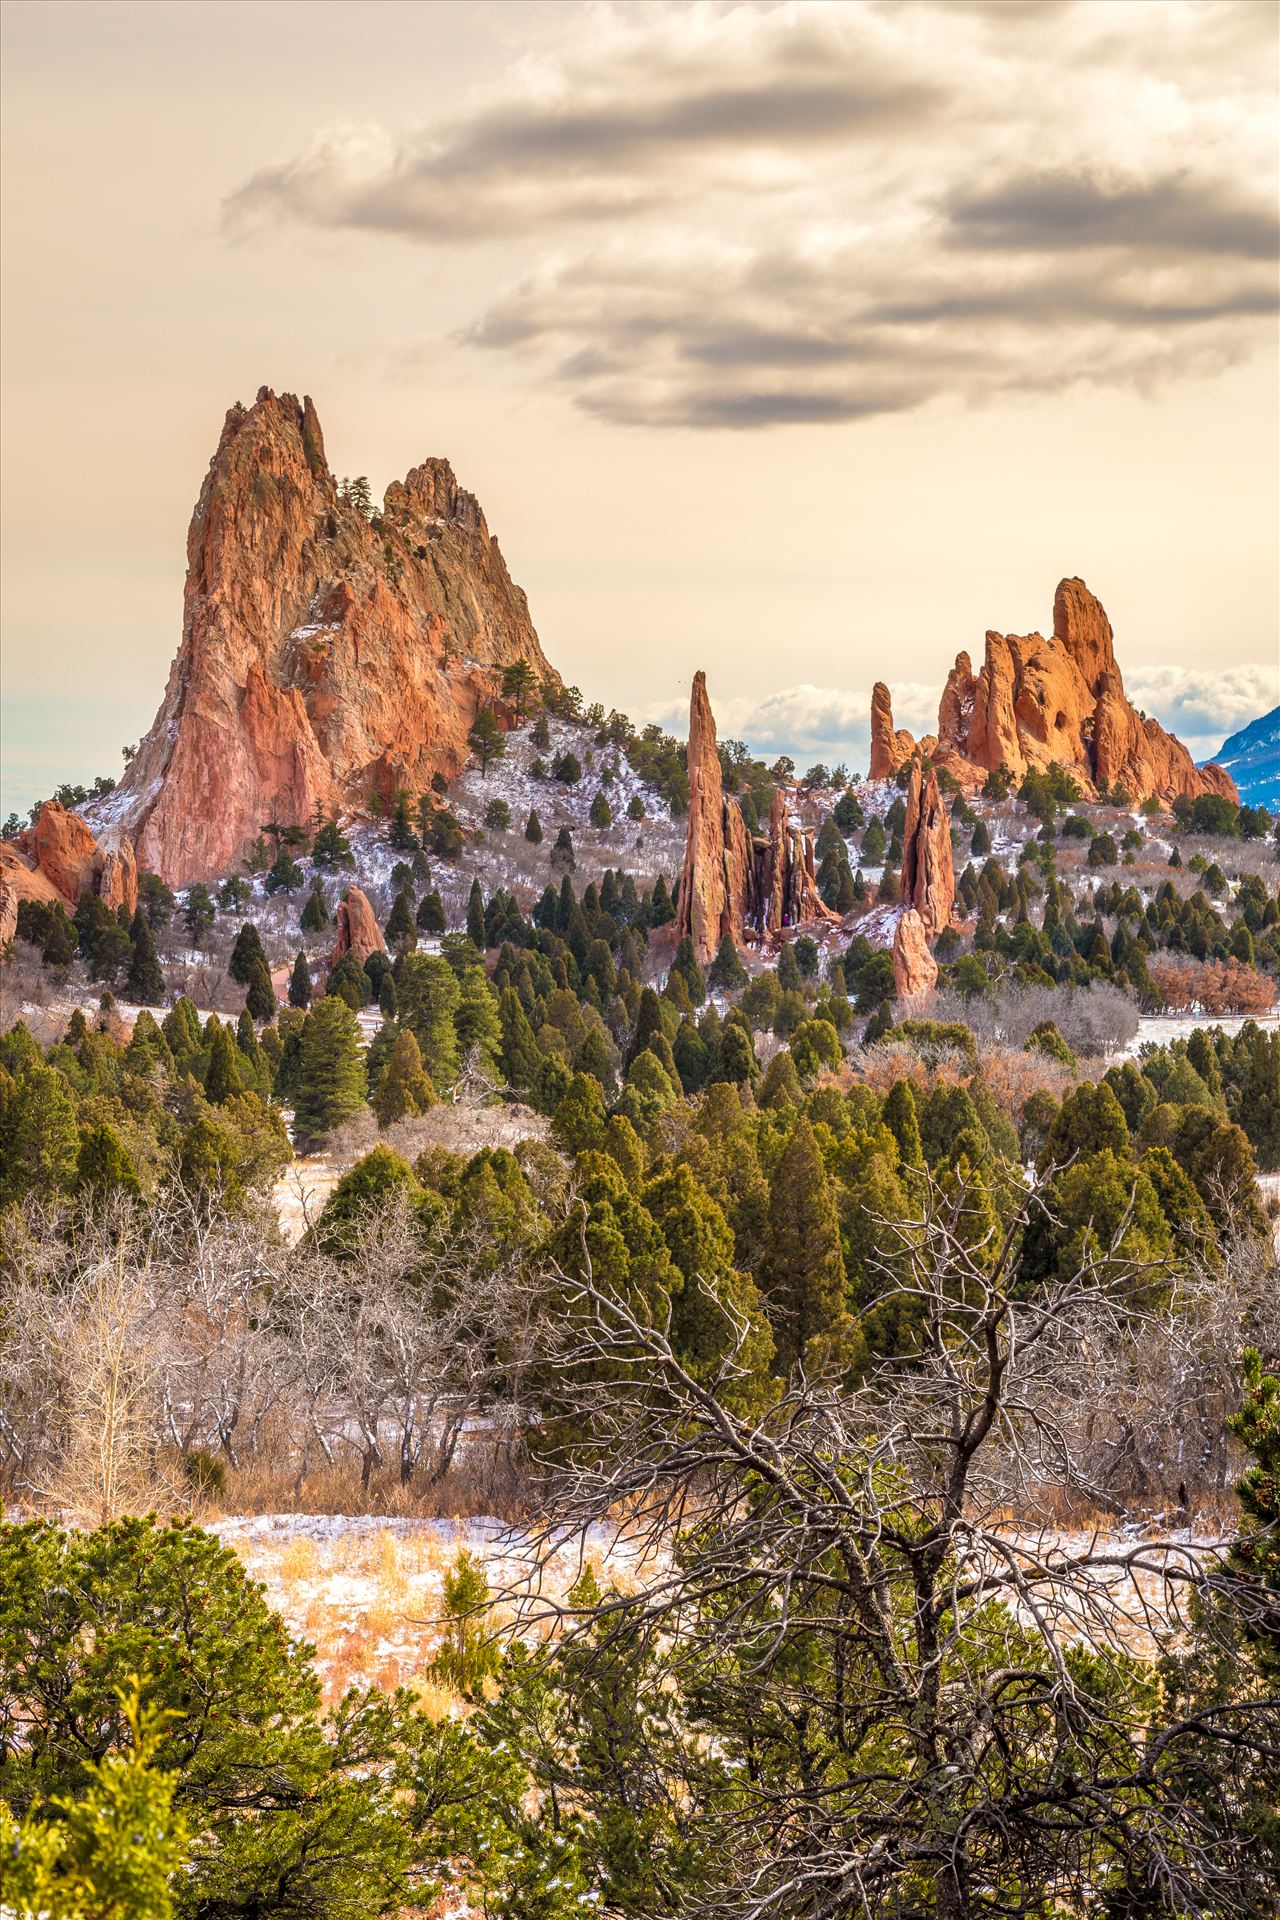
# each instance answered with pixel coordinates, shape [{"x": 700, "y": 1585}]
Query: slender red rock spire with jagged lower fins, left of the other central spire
[{"x": 734, "y": 882}]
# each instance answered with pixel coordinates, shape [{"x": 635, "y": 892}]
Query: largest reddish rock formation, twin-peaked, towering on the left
[{"x": 325, "y": 654}]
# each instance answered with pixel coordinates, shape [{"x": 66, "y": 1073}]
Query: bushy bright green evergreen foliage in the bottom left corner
[{"x": 285, "y": 1812}]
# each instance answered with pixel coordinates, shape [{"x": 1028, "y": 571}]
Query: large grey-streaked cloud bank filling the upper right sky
[{"x": 749, "y": 216}]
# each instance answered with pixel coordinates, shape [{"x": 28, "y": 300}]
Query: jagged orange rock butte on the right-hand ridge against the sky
[{"x": 1041, "y": 700}]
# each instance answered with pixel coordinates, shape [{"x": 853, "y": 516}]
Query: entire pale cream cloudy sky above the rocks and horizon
[{"x": 795, "y": 343}]
